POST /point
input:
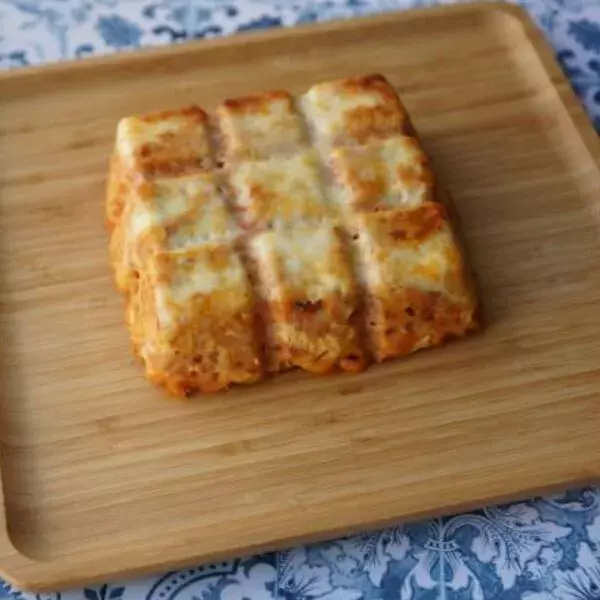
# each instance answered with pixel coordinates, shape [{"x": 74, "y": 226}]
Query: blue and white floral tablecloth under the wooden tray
[{"x": 541, "y": 549}]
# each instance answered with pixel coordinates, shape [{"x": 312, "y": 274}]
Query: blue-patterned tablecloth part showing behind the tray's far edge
[{"x": 38, "y": 31}]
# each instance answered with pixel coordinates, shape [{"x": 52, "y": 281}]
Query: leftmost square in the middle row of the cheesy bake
[{"x": 177, "y": 213}]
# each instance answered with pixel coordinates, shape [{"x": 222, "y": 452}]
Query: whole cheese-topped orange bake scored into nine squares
[{"x": 281, "y": 233}]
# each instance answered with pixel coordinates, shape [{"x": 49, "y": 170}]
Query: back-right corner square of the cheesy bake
[{"x": 355, "y": 110}]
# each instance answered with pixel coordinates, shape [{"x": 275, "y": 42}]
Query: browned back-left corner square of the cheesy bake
[{"x": 165, "y": 143}]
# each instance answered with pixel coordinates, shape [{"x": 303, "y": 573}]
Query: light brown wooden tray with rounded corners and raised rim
[{"x": 102, "y": 476}]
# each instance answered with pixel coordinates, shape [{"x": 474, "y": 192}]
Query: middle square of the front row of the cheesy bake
[{"x": 310, "y": 301}]
